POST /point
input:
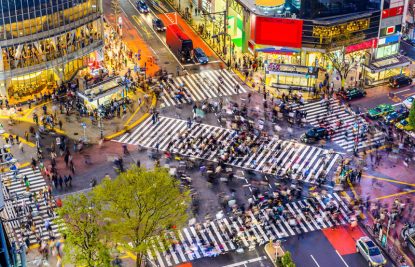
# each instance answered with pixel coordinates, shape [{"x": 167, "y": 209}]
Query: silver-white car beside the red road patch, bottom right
[{"x": 370, "y": 251}]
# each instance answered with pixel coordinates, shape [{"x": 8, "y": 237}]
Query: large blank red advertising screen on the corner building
[{"x": 278, "y": 32}]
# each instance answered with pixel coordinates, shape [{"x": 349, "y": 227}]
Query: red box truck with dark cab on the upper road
[{"x": 179, "y": 43}]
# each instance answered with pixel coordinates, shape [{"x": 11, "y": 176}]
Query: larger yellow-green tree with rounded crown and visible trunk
[{"x": 141, "y": 206}]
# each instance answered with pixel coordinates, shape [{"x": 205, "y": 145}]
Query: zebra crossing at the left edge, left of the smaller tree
[{"x": 18, "y": 206}]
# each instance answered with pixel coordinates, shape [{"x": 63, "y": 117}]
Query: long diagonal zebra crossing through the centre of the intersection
[{"x": 269, "y": 156}]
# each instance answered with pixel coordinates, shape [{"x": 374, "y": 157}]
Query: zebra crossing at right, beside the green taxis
[{"x": 345, "y": 134}]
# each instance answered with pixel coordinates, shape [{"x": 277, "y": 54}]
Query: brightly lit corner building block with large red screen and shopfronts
[{"x": 292, "y": 37}]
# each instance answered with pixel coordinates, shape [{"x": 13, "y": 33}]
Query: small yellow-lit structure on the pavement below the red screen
[{"x": 291, "y": 76}]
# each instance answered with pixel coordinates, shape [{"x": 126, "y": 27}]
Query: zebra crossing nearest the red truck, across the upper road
[{"x": 200, "y": 86}]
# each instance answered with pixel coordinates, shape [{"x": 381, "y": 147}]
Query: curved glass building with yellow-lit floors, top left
[{"x": 44, "y": 43}]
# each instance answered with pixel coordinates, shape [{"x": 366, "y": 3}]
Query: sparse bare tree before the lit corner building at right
[{"x": 342, "y": 62}]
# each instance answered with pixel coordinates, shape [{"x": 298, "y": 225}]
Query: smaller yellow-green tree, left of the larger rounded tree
[{"x": 80, "y": 220}]
